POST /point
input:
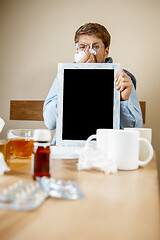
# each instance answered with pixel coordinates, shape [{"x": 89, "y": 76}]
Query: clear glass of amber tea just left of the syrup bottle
[{"x": 20, "y": 143}]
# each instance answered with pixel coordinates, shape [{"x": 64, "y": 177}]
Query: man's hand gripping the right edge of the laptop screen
[{"x": 124, "y": 85}]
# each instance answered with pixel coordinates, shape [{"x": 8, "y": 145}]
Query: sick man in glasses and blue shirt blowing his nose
[{"x": 93, "y": 40}]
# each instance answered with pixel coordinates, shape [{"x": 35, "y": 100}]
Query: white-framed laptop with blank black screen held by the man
[{"x": 87, "y": 100}]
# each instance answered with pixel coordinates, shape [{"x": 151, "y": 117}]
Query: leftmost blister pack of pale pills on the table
[{"x": 22, "y": 196}]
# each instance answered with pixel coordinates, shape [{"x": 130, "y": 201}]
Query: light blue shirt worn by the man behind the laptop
[{"x": 130, "y": 111}]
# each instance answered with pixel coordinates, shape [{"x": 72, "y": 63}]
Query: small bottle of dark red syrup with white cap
[{"x": 41, "y": 153}]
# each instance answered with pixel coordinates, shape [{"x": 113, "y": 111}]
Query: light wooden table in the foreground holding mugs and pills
[{"x": 121, "y": 206}]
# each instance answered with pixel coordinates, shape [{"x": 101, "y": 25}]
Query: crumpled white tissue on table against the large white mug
[{"x": 93, "y": 158}]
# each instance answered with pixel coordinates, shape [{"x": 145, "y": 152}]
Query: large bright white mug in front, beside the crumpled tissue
[{"x": 122, "y": 146}]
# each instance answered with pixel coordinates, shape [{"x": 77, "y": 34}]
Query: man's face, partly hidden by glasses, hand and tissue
[{"x": 102, "y": 53}]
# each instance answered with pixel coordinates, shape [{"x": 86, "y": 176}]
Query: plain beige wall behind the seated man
[{"x": 37, "y": 34}]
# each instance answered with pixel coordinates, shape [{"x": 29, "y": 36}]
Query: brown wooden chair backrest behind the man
[{"x": 32, "y": 110}]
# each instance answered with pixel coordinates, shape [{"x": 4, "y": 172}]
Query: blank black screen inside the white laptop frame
[{"x": 88, "y": 96}]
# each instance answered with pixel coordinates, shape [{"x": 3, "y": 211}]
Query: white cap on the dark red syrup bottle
[{"x": 42, "y": 135}]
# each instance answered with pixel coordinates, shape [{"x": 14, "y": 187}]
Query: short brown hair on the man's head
[{"x": 94, "y": 29}]
